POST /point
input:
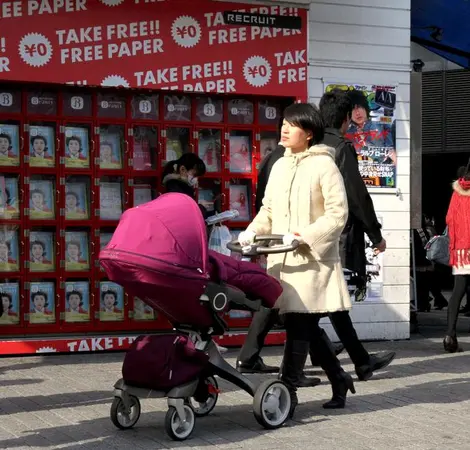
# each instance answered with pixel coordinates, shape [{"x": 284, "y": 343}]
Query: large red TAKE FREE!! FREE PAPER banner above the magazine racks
[{"x": 152, "y": 44}]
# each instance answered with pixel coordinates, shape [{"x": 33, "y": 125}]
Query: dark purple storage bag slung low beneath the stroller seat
[{"x": 163, "y": 362}]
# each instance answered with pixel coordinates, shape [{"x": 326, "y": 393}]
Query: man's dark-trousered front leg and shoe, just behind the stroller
[{"x": 249, "y": 360}]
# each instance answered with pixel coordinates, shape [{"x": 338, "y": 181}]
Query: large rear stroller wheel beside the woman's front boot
[{"x": 271, "y": 404}]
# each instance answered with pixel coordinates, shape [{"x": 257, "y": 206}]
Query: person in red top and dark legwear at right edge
[{"x": 458, "y": 223}]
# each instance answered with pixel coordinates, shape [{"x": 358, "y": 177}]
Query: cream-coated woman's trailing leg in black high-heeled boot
[{"x": 341, "y": 382}]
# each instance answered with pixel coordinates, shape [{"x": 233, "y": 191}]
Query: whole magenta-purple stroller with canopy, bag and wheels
[{"x": 159, "y": 253}]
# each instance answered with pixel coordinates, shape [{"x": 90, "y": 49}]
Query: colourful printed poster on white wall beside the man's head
[{"x": 372, "y": 131}]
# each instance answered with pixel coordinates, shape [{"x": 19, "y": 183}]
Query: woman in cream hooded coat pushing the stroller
[{"x": 306, "y": 201}]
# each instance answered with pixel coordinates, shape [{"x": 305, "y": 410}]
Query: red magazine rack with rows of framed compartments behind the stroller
[{"x": 73, "y": 160}]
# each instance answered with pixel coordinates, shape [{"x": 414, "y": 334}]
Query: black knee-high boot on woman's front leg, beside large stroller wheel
[{"x": 295, "y": 355}]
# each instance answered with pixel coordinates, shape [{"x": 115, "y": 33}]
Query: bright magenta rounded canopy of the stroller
[{"x": 167, "y": 235}]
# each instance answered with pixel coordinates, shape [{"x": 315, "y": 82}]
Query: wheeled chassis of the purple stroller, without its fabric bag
[{"x": 271, "y": 398}]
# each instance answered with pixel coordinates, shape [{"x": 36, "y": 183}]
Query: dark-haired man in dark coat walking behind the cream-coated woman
[{"x": 336, "y": 109}]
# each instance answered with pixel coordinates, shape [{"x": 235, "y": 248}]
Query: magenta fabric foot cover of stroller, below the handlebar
[{"x": 246, "y": 276}]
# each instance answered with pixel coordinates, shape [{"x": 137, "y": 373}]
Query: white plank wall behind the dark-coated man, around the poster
[{"x": 369, "y": 41}]
